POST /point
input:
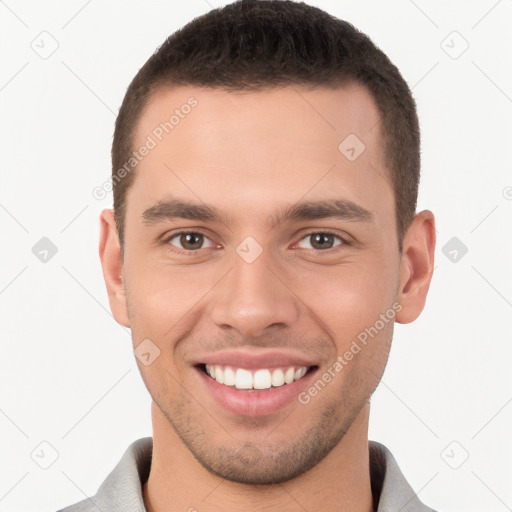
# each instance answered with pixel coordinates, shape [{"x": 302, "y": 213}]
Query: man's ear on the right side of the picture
[{"x": 416, "y": 266}]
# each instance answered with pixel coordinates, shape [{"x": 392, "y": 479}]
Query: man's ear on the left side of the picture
[{"x": 112, "y": 264}]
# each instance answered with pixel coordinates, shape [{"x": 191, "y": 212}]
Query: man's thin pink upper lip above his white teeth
[{"x": 255, "y": 359}]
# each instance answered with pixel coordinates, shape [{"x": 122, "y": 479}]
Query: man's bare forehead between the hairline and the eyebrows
[{"x": 268, "y": 146}]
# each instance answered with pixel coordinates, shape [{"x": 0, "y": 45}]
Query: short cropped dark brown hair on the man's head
[{"x": 256, "y": 45}]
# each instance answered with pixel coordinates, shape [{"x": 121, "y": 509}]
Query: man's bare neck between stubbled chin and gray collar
[{"x": 178, "y": 482}]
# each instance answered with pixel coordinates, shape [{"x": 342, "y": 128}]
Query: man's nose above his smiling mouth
[{"x": 254, "y": 298}]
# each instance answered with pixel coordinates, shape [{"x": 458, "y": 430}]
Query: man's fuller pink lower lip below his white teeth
[{"x": 255, "y": 403}]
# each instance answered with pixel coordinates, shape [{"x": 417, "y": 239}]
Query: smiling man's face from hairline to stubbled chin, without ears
[{"x": 255, "y": 287}]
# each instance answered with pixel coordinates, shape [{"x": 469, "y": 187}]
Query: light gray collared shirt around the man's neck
[{"x": 122, "y": 489}]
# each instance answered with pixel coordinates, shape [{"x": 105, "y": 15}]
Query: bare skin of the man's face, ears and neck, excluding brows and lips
[{"x": 250, "y": 155}]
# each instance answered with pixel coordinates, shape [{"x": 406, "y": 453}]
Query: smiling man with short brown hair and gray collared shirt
[{"x": 262, "y": 244}]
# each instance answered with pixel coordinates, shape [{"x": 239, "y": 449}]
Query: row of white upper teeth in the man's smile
[{"x": 257, "y": 379}]
